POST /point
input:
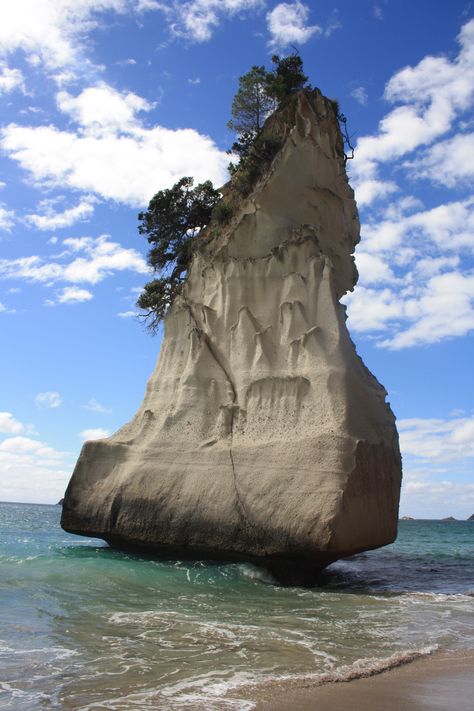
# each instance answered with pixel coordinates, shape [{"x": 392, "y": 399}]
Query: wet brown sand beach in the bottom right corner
[{"x": 444, "y": 681}]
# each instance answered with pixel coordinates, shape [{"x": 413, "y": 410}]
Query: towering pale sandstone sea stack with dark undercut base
[{"x": 262, "y": 435}]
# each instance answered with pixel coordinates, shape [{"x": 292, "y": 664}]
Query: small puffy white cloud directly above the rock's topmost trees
[{"x": 287, "y": 24}]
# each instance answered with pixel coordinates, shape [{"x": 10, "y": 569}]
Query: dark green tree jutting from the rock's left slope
[{"x": 174, "y": 217}]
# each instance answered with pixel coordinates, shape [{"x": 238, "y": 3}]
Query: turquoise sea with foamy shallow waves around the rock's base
[{"x": 83, "y": 626}]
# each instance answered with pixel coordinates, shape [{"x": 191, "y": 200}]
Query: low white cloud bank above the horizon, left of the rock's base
[{"x": 32, "y": 471}]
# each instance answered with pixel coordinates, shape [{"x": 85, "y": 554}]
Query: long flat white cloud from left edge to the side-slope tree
[{"x": 85, "y": 260}]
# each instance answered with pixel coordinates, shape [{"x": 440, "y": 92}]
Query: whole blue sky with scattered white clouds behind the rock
[{"x": 104, "y": 102}]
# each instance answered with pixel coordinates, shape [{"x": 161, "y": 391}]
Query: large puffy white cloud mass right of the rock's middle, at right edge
[{"x": 429, "y": 296}]
